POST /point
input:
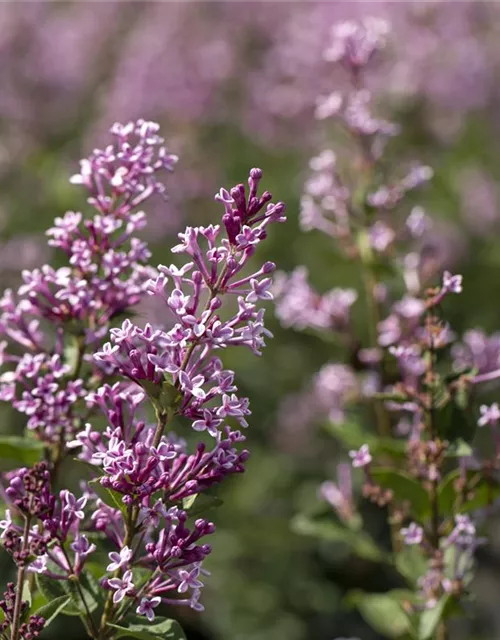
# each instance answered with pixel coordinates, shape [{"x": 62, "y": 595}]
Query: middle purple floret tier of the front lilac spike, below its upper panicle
[{"x": 136, "y": 468}]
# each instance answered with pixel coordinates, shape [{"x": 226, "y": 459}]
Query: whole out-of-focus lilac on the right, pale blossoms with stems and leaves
[{"x": 393, "y": 376}]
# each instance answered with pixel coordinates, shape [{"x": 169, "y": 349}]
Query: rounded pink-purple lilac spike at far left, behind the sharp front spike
[{"x": 60, "y": 314}]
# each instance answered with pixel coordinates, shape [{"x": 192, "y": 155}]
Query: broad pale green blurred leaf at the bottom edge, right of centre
[{"x": 384, "y": 612}]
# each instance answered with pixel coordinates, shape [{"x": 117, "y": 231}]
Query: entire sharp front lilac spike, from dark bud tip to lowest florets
[{"x": 180, "y": 373}]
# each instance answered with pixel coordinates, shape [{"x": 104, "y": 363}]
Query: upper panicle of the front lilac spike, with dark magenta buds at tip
[{"x": 182, "y": 359}]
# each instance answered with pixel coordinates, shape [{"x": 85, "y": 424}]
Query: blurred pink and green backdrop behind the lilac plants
[{"x": 233, "y": 83}]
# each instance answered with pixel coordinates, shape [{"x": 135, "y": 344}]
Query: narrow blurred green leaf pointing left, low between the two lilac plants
[{"x": 358, "y": 542}]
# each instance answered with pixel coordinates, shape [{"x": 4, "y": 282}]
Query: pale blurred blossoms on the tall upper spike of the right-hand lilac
[{"x": 361, "y": 227}]
